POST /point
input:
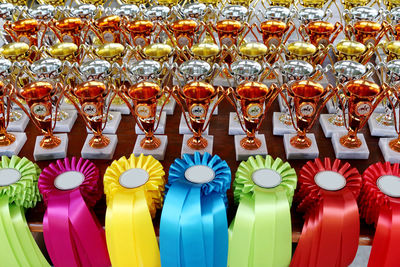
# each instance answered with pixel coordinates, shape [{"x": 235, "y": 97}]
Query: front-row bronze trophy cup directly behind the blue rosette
[{"x": 195, "y": 99}]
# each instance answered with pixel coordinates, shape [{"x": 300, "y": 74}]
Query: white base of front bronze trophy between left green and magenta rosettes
[{"x": 58, "y": 152}]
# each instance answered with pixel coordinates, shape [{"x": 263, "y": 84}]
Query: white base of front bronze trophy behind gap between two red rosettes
[{"x": 342, "y": 152}]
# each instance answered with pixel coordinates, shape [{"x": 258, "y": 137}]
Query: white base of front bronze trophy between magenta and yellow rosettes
[{"x": 107, "y": 152}]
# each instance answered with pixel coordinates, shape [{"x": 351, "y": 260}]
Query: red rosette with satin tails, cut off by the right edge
[{"x": 384, "y": 211}]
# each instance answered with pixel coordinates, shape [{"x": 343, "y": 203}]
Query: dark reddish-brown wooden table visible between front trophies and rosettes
[{"x": 223, "y": 146}]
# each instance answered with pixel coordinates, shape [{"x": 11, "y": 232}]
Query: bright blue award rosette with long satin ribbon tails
[{"x": 194, "y": 227}]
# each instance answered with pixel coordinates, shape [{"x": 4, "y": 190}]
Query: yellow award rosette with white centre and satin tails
[{"x": 134, "y": 188}]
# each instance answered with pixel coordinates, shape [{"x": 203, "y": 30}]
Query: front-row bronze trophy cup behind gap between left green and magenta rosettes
[{"x": 43, "y": 99}]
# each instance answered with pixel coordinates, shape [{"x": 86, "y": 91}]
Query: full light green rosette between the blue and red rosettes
[{"x": 261, "y": 233}]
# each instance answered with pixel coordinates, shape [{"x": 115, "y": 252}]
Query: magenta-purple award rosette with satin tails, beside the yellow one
[{"x": 72, "y": 233}]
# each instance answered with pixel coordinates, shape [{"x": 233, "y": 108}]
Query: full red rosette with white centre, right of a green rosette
[{"x": 327, "y": 195}]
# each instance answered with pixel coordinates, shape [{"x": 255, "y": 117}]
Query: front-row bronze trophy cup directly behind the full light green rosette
[{"x": 251, "y": 101}]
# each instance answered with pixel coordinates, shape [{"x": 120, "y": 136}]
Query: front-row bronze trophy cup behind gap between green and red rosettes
[{"x": 309, "y": 98}]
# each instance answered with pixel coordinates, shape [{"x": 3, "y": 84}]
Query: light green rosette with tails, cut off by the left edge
[{"x": 18, "y": 191}]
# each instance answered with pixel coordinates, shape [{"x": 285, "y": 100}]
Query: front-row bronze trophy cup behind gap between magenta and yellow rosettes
[{"x": 92, "y": 100}]
